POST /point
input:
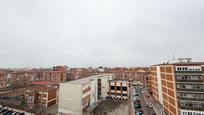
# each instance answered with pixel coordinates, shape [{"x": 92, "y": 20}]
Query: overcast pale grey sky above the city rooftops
[{"x": 80, "y": 33}]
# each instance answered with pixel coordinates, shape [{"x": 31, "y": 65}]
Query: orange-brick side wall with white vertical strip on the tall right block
[{"x": 163, "y": 88}]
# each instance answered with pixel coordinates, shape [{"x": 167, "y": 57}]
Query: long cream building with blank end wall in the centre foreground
[{"x": 79, "y": 96}]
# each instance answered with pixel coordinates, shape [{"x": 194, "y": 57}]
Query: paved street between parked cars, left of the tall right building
[{"x": 145, "y": 108}]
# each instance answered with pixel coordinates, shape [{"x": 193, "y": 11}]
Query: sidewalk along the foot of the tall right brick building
[{"x": 156, "y": 106}]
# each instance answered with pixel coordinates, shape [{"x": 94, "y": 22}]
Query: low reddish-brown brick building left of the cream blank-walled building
[{"x": 41, "y": 96}]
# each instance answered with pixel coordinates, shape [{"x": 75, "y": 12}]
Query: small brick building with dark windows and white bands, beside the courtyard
[{"x": 119, "y": 89}]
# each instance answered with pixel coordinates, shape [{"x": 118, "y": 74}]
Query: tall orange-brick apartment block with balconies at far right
[{"x": 179, "y": 87}]
